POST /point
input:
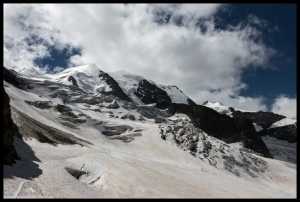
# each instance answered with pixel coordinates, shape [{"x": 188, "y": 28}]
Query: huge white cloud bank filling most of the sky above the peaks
[{"x": 117, "y": 36}]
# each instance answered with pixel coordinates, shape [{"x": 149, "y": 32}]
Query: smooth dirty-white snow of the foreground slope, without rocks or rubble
[{"x": 146, "y": 167}]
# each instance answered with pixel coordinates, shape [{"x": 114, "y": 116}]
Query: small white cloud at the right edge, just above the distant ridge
[{"x": 286, "y": 106}]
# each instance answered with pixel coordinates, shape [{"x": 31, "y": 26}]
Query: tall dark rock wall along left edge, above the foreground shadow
[{"x": 9, "y": 151}]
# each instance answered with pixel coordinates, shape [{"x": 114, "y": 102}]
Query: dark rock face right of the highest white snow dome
[{"x": 116, "y": 89}]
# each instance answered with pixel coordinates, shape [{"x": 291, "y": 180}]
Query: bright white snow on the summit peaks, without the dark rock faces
[{"x": 87, "y": 78}]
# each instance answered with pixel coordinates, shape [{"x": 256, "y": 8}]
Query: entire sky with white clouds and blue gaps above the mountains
[{"x": 241, "y": 55}]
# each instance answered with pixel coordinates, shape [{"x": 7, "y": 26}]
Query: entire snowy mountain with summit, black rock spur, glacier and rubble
[{"x": 87, "y": 133}]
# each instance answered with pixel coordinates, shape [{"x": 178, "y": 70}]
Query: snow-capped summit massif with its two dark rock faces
[{"x": 136, "y": 88}]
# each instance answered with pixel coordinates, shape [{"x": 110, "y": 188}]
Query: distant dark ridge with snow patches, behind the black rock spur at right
[{"x": 278, "y": 132}]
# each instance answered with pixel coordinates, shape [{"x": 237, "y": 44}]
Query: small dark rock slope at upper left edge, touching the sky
[{"x": 12, "y": 77}]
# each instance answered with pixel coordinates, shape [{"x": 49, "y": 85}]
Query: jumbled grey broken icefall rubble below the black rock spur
[{"x": 233, "y": 158}]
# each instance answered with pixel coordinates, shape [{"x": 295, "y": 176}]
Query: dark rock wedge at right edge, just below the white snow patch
[{"x": 286, "y": 133}]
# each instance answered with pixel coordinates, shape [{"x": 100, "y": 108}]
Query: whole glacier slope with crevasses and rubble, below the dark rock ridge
[{"x": 99, "y": 143}]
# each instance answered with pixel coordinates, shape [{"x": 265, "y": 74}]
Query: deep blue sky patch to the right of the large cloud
[{"x": 282, "y": 79}]
